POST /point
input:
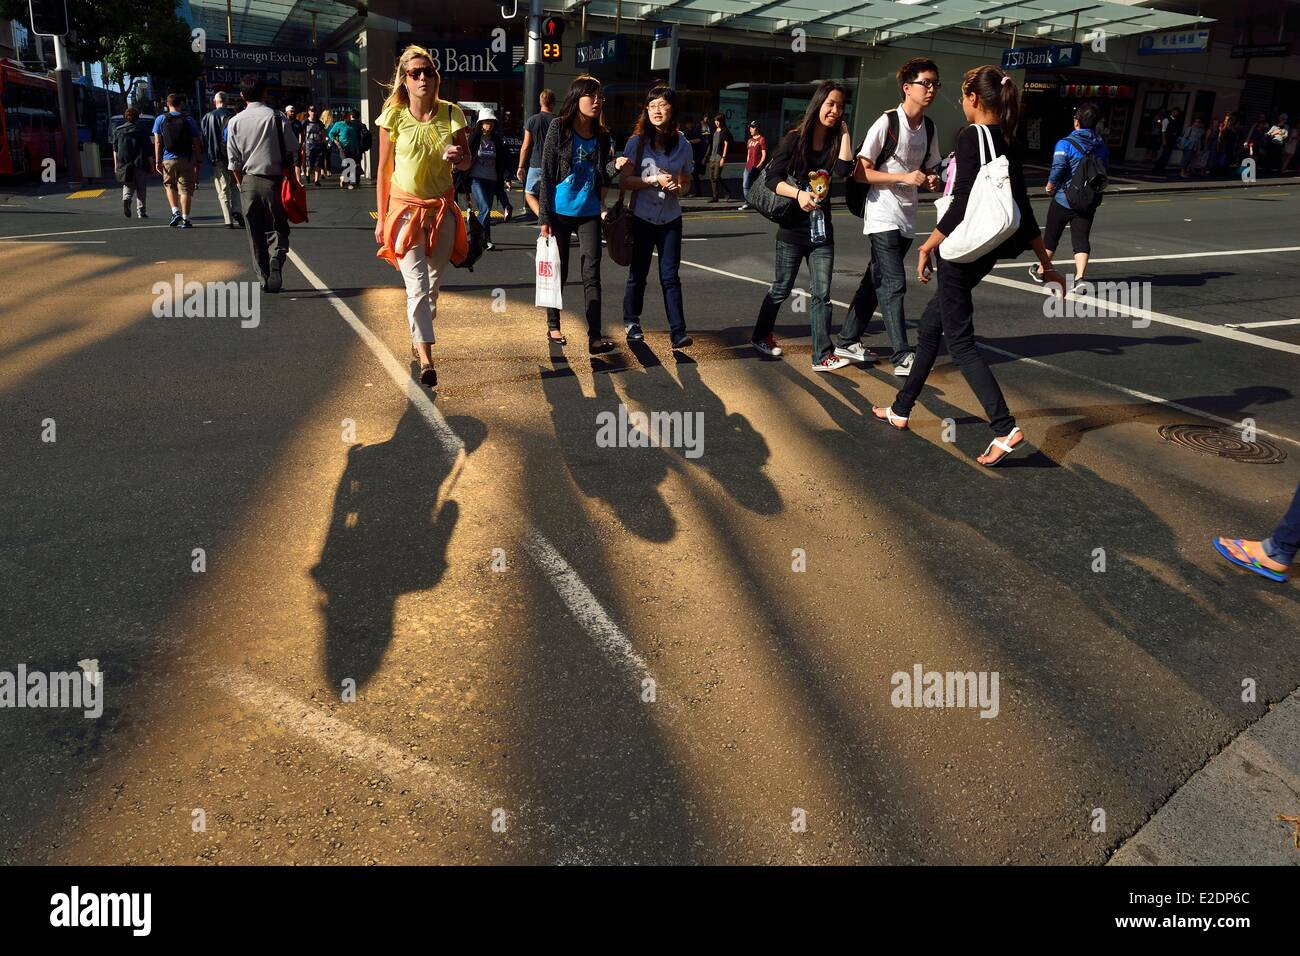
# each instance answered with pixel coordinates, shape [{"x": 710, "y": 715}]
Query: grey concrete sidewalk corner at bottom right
[{"x": 1227, "y": 815}]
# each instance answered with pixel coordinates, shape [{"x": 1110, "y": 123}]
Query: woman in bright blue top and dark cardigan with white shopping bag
[{"x": 573, "y": 201}]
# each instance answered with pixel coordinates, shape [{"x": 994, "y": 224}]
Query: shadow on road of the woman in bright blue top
[{"x": 627, "y": 479}]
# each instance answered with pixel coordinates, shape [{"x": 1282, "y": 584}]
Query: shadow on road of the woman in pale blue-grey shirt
[{"x": 731, "y": 451}]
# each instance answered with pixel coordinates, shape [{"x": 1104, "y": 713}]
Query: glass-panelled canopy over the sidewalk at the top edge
[{"x": 882, "y": 21}]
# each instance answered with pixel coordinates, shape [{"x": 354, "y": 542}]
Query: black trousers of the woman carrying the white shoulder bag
[{"x": 951, "y": 317}]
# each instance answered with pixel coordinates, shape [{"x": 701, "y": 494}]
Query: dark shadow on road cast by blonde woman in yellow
[{"x": 387, "y": 538}]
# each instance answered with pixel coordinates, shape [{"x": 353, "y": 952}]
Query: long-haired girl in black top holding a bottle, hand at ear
[{"x": 813, "y": 154}]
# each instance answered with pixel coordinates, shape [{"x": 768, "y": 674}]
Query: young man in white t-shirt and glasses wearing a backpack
[{"x": 907, "y": 146}]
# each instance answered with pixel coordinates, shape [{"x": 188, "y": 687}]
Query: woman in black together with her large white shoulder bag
[{"x": 987, "y": 218}]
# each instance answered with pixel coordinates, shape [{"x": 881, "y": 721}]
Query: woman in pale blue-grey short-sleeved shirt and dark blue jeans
[{"x": 657, "y": 165}]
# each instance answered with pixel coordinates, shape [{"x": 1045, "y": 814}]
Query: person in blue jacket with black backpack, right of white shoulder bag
[{"x": 1078, "y": 180}]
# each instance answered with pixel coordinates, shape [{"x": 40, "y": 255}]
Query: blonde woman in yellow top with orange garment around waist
[{"x": 421, "y": 228}]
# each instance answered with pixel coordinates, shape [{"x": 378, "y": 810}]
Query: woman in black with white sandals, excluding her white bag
[{"x": 991, "y": 100}]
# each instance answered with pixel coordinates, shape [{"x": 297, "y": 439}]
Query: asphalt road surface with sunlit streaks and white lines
[{"x": 571, "y": 654}]
